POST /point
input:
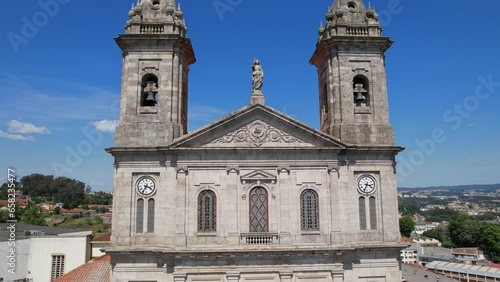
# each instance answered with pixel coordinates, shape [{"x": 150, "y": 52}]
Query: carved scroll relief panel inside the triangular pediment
[{"x": 257, "y": 133}]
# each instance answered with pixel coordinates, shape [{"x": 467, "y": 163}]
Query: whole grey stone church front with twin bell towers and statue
[{"x": 255, "y": 195}]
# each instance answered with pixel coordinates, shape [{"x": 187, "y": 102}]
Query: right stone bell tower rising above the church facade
[{"x": 352, "y": 78}]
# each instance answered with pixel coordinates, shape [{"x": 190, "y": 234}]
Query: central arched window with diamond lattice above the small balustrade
[{"x": 258, "y": 210}]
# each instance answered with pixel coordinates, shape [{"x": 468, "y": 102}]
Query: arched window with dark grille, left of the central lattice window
[{"x": 207, "y": 212}]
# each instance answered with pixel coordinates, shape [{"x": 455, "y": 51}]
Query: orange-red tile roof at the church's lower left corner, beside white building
[{"x": 96, "y": 270}]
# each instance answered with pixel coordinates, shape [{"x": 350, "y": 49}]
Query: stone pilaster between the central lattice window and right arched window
[{"x": 284, "y": 184}]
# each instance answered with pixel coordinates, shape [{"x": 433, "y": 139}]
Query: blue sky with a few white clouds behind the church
[{"x": 60, "y": 83}]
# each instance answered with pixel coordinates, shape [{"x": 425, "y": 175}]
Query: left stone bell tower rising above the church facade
[{"x": 156, "y": 58}]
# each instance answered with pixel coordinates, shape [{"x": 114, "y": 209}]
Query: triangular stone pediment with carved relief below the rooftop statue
[{"x": 257, "y": 126}]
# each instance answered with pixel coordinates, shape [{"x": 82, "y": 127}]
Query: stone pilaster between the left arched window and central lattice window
[{"x": 231, "y": 219}]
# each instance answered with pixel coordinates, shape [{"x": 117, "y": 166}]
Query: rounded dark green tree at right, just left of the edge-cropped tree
[{"x": 465, "y": 231}]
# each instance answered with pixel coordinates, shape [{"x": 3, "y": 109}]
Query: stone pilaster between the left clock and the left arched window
[{"x": 180, "y": 214}]
